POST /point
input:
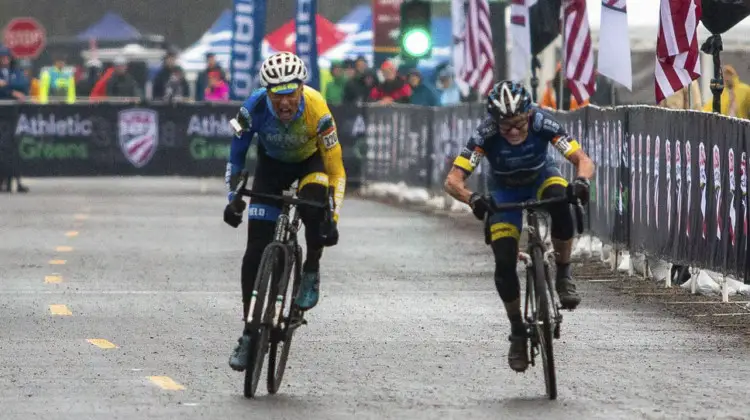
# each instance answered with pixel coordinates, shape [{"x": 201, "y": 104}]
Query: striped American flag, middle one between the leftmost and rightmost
[{"x": 579, "y": 52}]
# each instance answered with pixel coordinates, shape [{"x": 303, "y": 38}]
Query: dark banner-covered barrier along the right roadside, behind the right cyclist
[{"x": 670, "y": 184}]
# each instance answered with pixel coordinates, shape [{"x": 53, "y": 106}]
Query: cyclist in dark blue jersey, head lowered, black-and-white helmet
[{"x": 515, "y": 139}]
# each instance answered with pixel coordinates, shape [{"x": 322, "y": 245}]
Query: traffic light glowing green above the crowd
[{"x": 415, "y": 38}]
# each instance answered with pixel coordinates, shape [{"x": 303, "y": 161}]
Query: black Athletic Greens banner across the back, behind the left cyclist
[{"x": 149, "y": 140}]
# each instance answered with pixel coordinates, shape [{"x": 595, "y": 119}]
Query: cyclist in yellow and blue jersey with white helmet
[{"x": 297, "y": 141}]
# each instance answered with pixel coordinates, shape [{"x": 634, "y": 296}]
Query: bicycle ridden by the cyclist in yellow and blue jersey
[{"x": 273, "y": 315}]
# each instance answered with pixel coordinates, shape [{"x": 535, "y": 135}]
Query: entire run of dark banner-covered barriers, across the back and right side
[{"x": 669, "y": 184}]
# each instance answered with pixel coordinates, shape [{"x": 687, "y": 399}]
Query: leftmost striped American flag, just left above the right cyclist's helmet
[{"x": 478, "y": 61}]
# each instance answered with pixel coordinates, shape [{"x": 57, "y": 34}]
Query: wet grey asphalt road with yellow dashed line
[{"x": 409, "y": 325}]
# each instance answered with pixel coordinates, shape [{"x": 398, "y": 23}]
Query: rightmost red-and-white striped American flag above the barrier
[{"x": 677, "y": 57}]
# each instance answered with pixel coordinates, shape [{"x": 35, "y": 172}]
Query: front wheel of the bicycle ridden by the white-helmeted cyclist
[{"x": 262, "y": 313}]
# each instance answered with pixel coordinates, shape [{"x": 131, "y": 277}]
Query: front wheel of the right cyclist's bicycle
[{"x": 544, "y": 322}]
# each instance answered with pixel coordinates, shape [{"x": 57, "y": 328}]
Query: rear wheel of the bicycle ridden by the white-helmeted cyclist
[{"x": 291, "y": 317}]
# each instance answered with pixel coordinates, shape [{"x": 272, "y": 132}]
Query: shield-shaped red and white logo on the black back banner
[{"x": 138, "y": 134}]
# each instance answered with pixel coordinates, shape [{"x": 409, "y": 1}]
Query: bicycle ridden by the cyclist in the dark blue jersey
[{"x": 542, "y": 306}]
